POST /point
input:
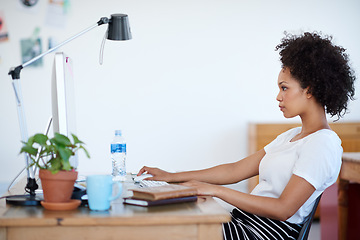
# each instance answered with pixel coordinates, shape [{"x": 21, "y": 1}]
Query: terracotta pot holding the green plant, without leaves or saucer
[{"x": 57, "y": 187}]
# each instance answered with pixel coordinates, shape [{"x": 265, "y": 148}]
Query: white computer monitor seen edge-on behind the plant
[{"x": 63, "y": 98}]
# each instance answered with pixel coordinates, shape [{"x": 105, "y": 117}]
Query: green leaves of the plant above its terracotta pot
[{"x": 52, "y": 154}]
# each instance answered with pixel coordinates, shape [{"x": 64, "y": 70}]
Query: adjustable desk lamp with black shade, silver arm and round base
[{"x": 118, "y": 30}]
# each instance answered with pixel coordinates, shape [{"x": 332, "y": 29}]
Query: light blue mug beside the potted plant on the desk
[{"x": 99, "y": 190}]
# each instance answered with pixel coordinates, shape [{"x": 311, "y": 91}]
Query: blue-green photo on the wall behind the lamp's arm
[{"x": 31, "y": 48}]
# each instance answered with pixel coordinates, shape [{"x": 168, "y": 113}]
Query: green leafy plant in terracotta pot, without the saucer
[{"x": 52, "y": 157}]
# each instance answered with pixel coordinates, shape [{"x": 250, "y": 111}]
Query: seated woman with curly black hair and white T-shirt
[{"x": 299, "y": 164}]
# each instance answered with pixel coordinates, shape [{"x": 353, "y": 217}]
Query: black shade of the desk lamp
[{"x": 119, "y": 28}]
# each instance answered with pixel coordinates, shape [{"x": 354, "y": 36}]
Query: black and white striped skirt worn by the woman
[{"x": 244, "y": 225}]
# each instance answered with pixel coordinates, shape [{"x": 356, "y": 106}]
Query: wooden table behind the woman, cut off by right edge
[{"x": 350, "y": 172}]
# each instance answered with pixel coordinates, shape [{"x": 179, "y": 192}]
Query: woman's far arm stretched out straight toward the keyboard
[{"x": 221, "y": 174}]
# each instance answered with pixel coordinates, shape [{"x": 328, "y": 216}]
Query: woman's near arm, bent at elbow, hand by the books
[{"x": 295, "y": 194}]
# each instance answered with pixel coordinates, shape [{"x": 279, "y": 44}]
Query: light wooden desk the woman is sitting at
[{"x": 200, "y": 220}]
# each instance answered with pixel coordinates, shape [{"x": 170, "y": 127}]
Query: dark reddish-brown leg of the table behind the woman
[{"x": 343, "y": 208}]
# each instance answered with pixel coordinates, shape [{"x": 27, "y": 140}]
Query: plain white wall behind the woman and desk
[{"x": 183, "y": 89}]
